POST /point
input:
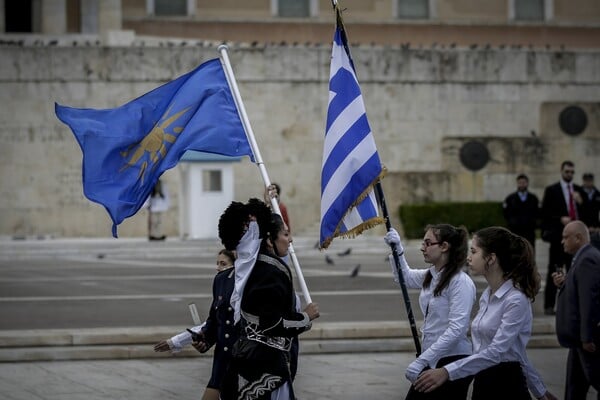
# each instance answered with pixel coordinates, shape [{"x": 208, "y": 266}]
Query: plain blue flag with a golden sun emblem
[{"x": 126, "y": 149}]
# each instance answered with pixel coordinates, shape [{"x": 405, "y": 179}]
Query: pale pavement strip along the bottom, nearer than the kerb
[{"x": 350, "y": 376}]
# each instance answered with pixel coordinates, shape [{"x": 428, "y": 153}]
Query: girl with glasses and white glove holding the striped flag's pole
[{"x": 446, "y": 299}]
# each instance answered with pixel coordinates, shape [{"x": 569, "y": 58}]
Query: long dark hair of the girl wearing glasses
[{"x": 458, "y": 244}]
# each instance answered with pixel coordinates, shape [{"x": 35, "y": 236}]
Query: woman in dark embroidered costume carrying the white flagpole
[{"x": 265, "y": 299}]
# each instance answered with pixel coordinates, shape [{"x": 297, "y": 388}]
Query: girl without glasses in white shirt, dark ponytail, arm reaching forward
[{"x": 502, "y": 327}]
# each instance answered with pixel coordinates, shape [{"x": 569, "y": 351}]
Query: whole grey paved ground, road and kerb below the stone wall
[{"x": 88, "y": 290}]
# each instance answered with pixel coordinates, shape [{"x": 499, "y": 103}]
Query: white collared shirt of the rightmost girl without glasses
[{"x": 500, "y": 332}]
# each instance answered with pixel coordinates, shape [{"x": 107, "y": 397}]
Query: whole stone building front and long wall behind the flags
[{"x": 452, "y": 120}]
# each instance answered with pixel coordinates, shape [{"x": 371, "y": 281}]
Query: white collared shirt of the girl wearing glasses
[{"x": 447, "y": 316}]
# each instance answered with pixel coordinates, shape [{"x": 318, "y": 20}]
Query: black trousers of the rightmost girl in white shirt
[{"x": 500, "y": 382}]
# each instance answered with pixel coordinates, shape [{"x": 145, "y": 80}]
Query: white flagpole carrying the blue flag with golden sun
[{"x": 224, "y": 57}]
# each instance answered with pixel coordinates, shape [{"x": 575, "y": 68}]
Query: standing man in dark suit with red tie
[{"x": 559, "y": 207}]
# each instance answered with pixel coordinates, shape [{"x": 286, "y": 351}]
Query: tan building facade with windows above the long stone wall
[{"x": 537, "y": 23}]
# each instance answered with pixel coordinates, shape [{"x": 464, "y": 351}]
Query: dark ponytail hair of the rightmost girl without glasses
[{"x": 515, "y": 257}]
